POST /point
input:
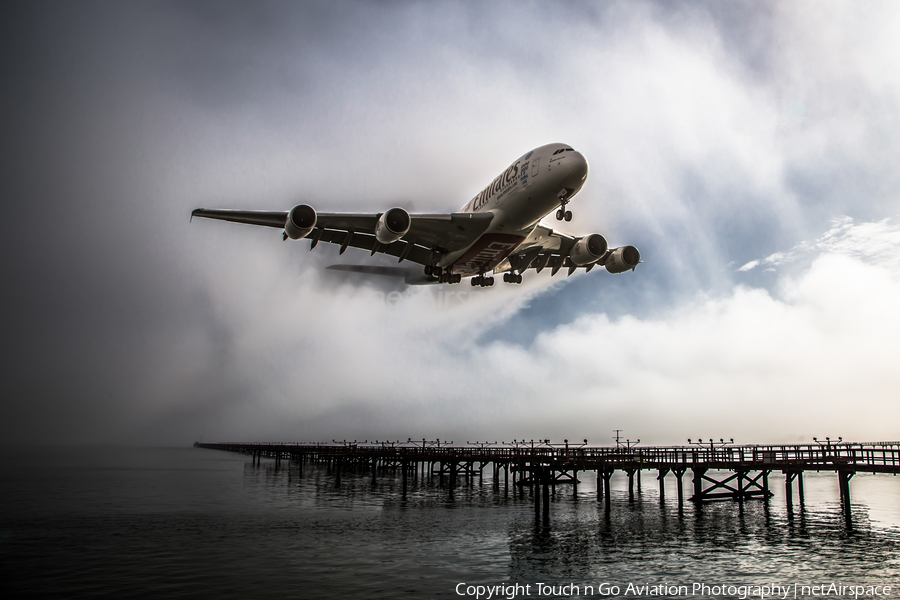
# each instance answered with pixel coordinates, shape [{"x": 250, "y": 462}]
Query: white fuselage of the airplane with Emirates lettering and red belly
[{"x": 526, "y": 192}]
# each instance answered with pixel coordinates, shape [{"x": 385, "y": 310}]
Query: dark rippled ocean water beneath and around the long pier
[{"x": 195, "y": 523}]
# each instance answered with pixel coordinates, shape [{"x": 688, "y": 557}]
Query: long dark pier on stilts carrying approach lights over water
[{"x": 542, "y": 465}]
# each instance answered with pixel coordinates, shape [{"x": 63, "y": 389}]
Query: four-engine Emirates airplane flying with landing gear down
[{"x": 497, "y": 231}]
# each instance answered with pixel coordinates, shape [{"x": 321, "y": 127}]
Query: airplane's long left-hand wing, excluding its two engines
[{"x": 429, "y": 234}]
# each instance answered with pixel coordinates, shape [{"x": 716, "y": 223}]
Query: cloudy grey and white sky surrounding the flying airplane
[{"x": 748, "y": 149}]
